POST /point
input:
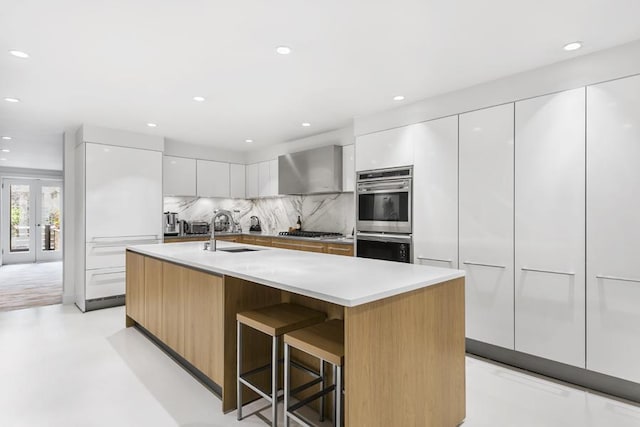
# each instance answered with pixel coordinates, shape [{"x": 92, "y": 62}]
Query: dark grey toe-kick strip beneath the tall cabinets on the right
[{"x": 581, "y": 377}]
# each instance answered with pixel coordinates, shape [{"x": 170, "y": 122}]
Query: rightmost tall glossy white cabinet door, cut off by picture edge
[{"x": 613, "y": 228}]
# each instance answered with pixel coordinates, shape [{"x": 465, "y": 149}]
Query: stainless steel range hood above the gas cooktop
[{"x": 311, "y": 172}]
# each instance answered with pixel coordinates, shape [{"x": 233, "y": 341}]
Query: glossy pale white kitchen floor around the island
[{"x": 59, "y": 367}]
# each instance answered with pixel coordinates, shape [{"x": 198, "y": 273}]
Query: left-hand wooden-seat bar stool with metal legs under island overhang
[{"x": 274, "y": 321}]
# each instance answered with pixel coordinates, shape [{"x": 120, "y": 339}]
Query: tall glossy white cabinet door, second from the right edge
[{"x": 550, "y": 227}]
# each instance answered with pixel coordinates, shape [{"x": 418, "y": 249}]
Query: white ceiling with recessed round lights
[{"x": 123, "y": 63}]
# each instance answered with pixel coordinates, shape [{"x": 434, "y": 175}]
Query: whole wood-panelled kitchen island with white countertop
[{"x": 404, "y": 323}]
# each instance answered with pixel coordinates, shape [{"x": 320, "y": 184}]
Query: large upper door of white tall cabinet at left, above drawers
[{"x": 123, "y": 193}]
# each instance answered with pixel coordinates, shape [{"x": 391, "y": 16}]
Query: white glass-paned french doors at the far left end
[{"x": 31, "y": 220}]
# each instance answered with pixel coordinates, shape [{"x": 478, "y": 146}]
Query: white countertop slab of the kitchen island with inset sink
[{"x": 343, "y": 280}]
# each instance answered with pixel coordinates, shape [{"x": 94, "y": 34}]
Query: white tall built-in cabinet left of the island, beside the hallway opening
[{"x": 118, "y": 203}]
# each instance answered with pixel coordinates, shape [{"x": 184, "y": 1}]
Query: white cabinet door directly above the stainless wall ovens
[{"x": 386, "y": 149}]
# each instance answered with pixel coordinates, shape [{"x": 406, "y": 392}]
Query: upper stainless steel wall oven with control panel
[{"x": 384, "y": 200}]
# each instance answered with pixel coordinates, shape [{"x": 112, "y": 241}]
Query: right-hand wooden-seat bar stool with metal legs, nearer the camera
[{"x": 326, "y": 342}]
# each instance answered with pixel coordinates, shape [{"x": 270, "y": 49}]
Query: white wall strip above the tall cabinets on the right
[{"x": 577, "y": 72}]
